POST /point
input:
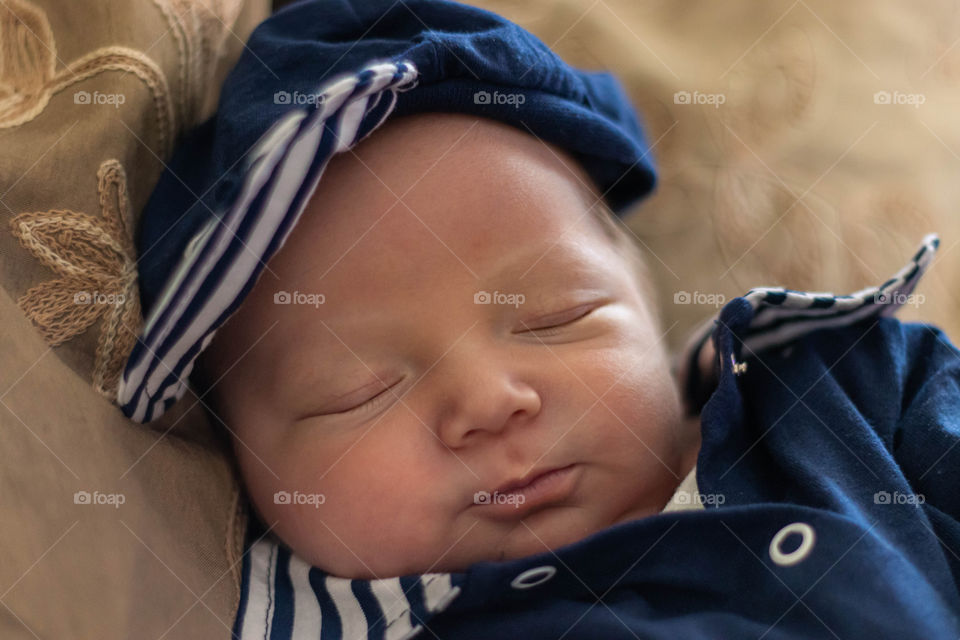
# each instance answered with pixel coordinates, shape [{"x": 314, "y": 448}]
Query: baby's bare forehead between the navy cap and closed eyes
[{"x": 380, "y": 257}]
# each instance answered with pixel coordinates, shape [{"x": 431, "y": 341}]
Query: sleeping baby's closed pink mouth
[{"x": 538, "y": 489}]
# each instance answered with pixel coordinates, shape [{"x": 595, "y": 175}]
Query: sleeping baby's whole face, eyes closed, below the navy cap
[{"x": 389, "y": 410}]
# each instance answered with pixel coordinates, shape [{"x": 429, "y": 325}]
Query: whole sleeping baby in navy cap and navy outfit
[{"x": 393, "y": 269}]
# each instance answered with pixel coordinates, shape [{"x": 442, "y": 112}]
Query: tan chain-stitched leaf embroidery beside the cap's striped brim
[{"x": 95, "y": 258}]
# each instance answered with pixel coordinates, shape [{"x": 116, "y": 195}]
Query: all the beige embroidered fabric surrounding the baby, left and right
[{"x": 809, "y": 144}]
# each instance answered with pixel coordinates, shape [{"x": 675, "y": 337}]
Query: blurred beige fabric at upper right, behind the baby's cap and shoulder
[{"x": 804, "y": 143}]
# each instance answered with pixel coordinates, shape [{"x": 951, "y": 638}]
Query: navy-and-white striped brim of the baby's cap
[{"x": 224, "y": 259}]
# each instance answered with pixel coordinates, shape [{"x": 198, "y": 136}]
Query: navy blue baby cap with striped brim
[{"x": 314, "y": 79}]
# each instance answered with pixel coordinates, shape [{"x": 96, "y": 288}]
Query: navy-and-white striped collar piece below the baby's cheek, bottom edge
[{"x": 284, "y": 598}]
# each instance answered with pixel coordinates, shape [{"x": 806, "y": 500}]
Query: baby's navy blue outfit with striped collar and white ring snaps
[{"x": 832, "y": 434}]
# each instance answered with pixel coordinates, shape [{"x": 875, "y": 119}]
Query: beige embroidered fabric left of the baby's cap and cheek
[{"x": 108, "y": 529}]
